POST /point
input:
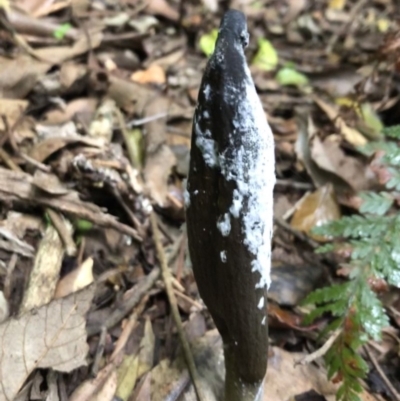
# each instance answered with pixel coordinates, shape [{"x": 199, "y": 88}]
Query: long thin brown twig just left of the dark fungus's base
[{"x": 174, "y": 308}]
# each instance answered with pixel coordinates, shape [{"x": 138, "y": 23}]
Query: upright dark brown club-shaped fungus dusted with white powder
[{"x": 229, "y": 208}]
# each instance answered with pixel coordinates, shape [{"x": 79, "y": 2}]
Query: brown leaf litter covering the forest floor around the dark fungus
[{"x": 95, "y": 120}]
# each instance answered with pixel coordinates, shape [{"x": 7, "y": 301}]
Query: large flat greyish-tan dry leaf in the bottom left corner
[{"x": 54, "y": 336}]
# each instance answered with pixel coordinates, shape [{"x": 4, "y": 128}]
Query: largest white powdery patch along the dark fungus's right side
[{"x": 253, "y": 170}]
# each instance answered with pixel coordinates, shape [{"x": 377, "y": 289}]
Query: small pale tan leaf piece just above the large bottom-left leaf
[{"x": 78, "y": 279}]
